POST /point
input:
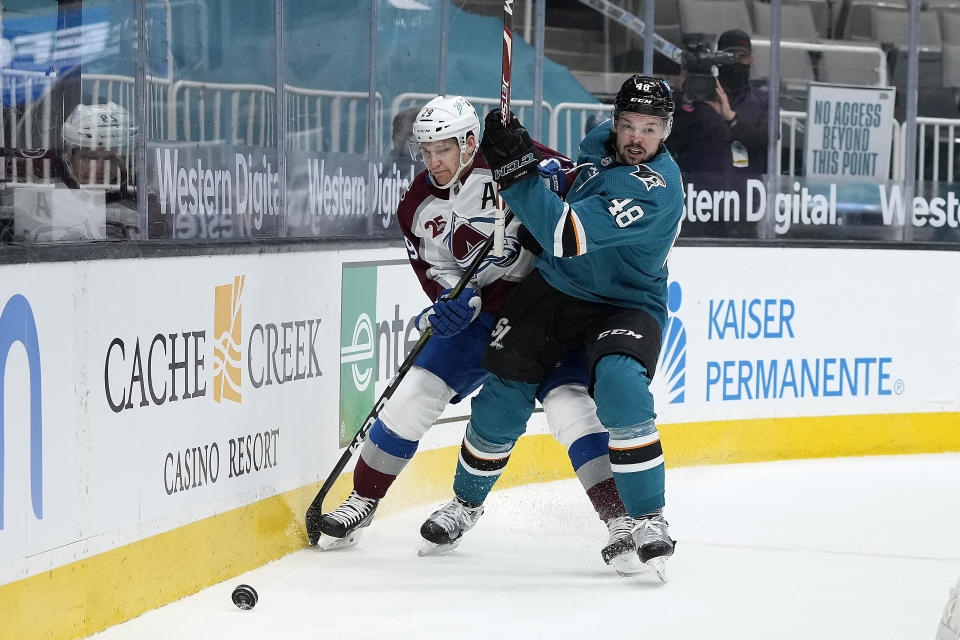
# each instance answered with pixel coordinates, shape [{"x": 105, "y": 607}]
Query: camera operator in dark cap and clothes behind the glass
[{"x": 720, "y": 126}]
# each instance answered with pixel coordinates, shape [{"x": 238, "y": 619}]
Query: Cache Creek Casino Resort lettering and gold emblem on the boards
[{"x": 149, "y": 371}]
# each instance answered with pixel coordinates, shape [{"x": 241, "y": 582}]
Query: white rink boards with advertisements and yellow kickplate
[{"x": 166, "y": 421}]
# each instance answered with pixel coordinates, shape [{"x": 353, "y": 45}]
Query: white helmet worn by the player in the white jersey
[{"x": 447, "y": 117}]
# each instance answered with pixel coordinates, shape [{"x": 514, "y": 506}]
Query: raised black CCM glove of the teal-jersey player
[{"x": 509, "y": 151}]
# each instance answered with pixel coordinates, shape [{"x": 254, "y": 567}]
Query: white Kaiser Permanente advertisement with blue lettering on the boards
[{"x": 768, "y": 333}]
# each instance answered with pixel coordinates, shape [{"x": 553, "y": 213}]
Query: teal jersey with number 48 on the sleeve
[{"x": 610, "y": 240}]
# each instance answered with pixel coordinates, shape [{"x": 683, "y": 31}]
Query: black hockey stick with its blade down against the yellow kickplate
[{"x": 315, "y": 510}]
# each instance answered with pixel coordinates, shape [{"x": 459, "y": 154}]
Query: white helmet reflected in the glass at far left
[{"x": 107, "y": 128}]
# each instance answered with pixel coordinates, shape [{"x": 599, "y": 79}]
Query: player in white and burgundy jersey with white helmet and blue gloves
[{"x": 445, "y": 216}]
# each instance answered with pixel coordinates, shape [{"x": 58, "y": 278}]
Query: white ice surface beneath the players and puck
[{"x": 844, "y": 548}]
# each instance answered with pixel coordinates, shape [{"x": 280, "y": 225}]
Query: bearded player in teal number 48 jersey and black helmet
[{"x": 601, "y": 283}]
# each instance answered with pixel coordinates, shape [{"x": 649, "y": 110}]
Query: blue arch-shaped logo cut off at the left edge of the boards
[{"x": 17, "y": 324}]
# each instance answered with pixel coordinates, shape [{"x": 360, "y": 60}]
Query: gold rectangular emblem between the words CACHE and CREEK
[{"x": 227, "y": 328}]
